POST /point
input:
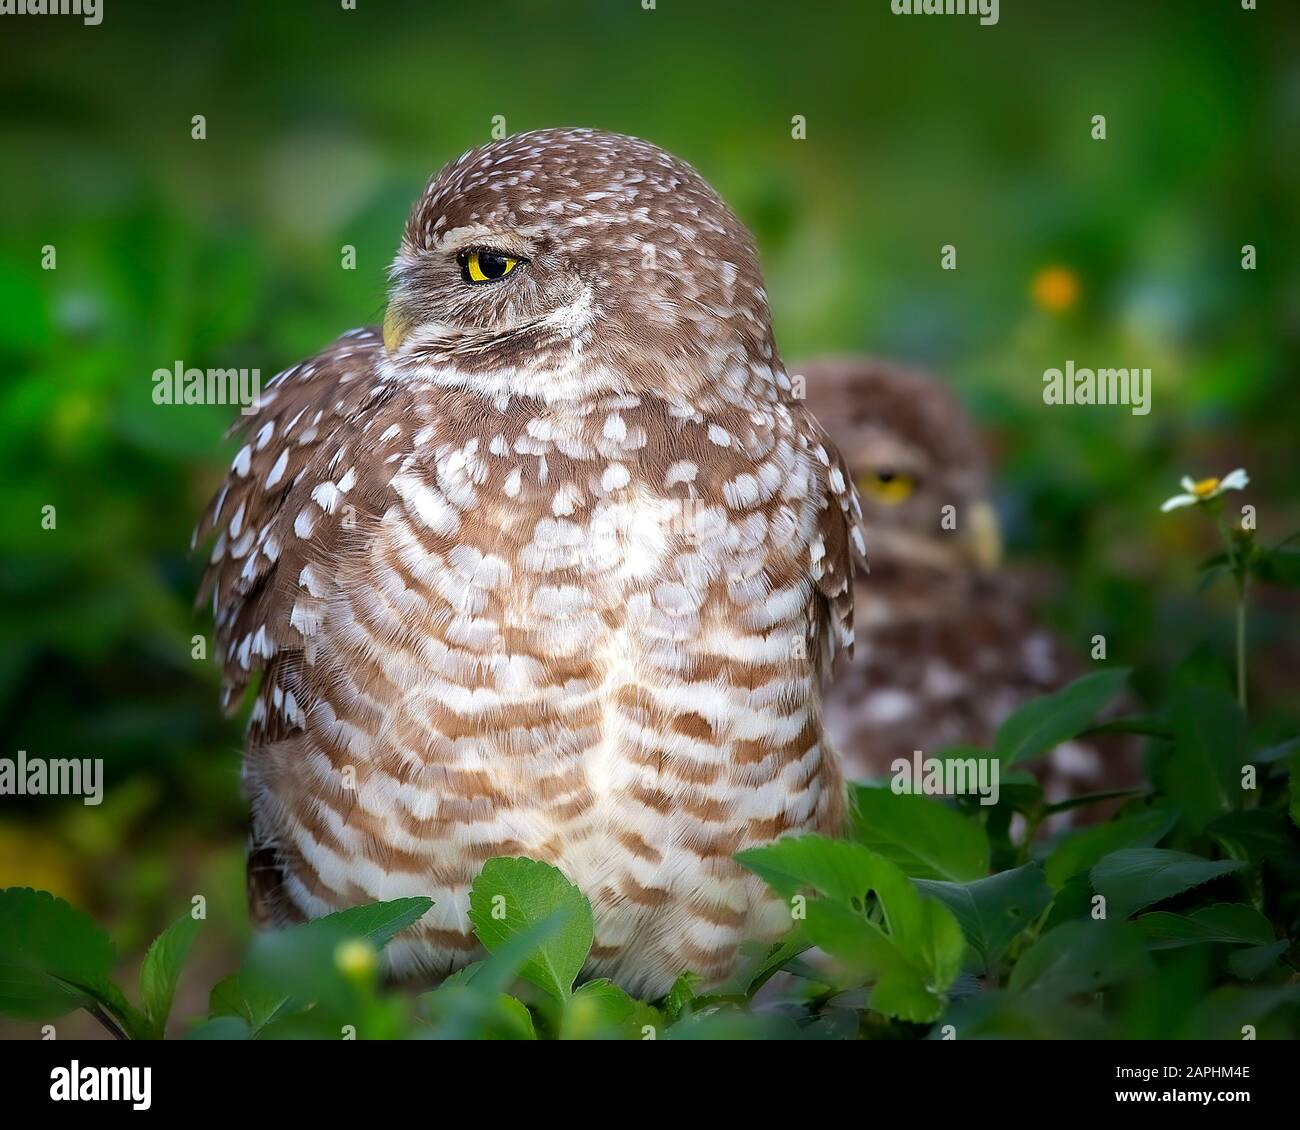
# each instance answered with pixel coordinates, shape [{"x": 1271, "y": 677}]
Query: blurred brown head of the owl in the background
[{"x": 921, "y": 470}]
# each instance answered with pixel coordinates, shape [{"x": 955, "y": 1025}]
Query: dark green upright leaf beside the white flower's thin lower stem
[{"x": 1203, "y": 776}]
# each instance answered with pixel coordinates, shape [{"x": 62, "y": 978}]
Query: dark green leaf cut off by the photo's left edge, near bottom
[{"x": 53, "y": 959}]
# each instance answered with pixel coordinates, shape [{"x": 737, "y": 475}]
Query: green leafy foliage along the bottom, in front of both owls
[{"x": 1177, "y": 916}]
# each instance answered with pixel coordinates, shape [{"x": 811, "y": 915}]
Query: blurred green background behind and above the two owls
[{"x": 323, "y": 124}]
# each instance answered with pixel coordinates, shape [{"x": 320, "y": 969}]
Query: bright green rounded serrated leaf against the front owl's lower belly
[{"x": 512, "y": 895}]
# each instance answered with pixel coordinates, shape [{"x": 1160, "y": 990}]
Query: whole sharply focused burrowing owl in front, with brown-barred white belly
[{"x": 554, "y": 566}]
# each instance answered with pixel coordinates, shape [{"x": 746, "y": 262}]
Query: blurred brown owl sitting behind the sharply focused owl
[{"x": 947, "y": 646}]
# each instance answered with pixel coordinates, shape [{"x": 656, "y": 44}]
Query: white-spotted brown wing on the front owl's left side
[{"x": 296, "y": 496}]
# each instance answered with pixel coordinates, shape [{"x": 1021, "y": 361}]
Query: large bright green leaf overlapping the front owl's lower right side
[{"x": 870, "y": 919}]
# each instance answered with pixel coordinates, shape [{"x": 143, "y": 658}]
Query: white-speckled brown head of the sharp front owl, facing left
[{"x": 562, "y": 263}]
